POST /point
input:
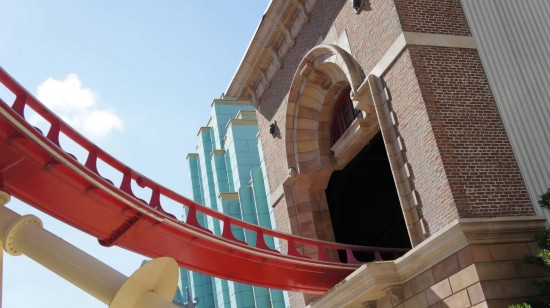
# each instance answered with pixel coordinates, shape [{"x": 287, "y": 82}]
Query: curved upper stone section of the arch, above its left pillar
[{"x": 322, "y": 74}]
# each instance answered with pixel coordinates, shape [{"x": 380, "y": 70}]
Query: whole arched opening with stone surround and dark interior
[{"x": 340, "y": 185}]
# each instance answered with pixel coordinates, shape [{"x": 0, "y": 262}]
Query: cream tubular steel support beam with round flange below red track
[{"x": 152, "y": 285}]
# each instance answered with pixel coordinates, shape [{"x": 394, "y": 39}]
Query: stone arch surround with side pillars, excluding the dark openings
[{"x": 322, "y": 75}]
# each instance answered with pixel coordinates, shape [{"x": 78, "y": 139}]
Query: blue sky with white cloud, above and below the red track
[{"x": 146, "y": 70}]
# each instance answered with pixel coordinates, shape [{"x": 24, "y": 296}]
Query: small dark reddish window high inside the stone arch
[{"x": 343, "y": 115}]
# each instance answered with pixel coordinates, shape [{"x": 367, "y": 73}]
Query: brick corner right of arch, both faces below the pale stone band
[{"x": 462, "y": 162}]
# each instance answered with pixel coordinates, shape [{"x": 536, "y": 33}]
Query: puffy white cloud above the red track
[{"x": 77, "y": 106}]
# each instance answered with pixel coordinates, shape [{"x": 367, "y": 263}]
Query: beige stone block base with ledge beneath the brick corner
[{"x": 474, "y": 262}]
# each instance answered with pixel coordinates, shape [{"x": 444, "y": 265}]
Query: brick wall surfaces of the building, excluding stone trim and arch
[{"x": 462, "y": 162}]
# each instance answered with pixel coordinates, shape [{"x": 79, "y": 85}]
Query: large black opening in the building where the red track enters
[{"x": 364, "y": 204}]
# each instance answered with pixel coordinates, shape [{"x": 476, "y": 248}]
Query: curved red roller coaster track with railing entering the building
[{"x": 35, "y": 169}]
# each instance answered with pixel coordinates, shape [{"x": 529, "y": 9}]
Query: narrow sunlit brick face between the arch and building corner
[{"x": 422, "y": 151}]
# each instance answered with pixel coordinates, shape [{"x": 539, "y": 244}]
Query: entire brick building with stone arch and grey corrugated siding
[{"x": 407, "y": 124}]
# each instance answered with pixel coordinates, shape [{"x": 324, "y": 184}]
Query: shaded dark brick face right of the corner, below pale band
[{"x": 477, "y": 158}]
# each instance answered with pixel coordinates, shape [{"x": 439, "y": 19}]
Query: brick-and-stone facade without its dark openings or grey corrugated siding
[{"x": 415, "y": 75}]
